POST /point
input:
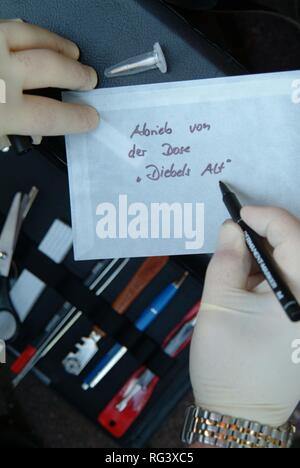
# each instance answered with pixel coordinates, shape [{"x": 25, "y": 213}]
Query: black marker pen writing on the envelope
[{"x": 265, "y": 262}]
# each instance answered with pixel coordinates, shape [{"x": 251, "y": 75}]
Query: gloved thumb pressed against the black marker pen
[{"x": 231, "y": 265}]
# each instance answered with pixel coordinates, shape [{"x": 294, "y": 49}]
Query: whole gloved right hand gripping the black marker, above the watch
[{"x": 241, "y": 356}]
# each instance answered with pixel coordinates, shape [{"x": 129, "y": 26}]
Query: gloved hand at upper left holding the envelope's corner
[{"x": 33, "y": 58}]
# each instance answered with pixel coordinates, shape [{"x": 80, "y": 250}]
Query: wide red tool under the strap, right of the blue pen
[{"x": 127, "y": 405}]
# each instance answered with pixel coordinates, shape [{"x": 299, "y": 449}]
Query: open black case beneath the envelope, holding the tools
[{"x": 107, "y": 32}]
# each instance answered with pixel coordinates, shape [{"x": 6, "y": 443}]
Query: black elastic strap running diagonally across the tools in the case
[{"x": 99, "y": 311}]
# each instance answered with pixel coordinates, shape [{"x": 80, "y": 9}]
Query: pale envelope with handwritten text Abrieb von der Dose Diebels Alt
[{"x": 146, "y": 182}]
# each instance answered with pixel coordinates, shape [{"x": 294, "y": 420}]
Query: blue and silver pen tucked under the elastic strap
[{"x": 146, "y": 318}]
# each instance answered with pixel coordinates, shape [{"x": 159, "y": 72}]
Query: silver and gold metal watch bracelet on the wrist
[{"x": 219, "y": 431}]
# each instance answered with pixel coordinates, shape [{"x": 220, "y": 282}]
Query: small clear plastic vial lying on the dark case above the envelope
[{"x": 139, "y": 64}]
